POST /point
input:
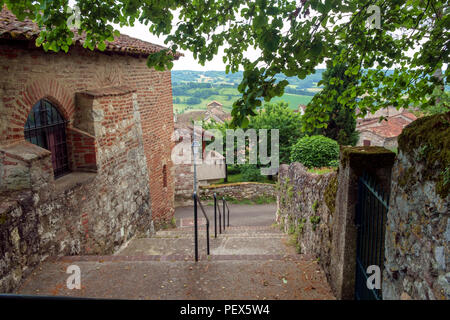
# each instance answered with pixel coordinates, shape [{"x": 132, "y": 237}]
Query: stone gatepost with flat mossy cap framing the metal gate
[{"x": 378, "y": 162}]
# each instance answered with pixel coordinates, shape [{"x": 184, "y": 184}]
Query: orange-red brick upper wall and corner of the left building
[{"x": 28, "y": 75}]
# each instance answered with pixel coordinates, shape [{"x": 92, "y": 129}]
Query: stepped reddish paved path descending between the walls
[{"x": 246, "y": 262}]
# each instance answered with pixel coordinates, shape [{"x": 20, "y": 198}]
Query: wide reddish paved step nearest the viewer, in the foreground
[{"x": 137, "y": 278}]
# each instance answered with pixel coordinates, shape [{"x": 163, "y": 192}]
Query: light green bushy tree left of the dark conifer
[{"x": 279, "y": 116}]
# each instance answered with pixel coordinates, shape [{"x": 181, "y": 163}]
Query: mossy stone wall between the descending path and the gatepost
[{"x": 305, "y": 210}]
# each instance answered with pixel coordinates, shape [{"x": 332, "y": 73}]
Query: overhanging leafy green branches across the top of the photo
[{"x": 294, "y": 37}]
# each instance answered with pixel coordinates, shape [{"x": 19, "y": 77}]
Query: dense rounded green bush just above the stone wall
[{"x": 315, "y": 151}]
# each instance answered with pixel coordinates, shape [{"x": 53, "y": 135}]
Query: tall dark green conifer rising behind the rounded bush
[{"x": 339, "y": 117}]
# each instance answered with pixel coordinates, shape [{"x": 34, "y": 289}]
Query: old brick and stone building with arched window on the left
[{"x": 85, "y": 147}]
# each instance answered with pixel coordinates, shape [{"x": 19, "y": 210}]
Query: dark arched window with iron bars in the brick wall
[{"x": 46, "y": 128}]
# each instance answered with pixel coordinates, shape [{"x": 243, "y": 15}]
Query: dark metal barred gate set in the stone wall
[{"x": 371, "y": 212}]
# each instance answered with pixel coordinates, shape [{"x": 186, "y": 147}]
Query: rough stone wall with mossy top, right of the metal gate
[{"x": 418, "y": 223}]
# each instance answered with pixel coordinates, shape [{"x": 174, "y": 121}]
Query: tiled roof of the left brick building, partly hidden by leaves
[{"x": 13, "y": 29}]
